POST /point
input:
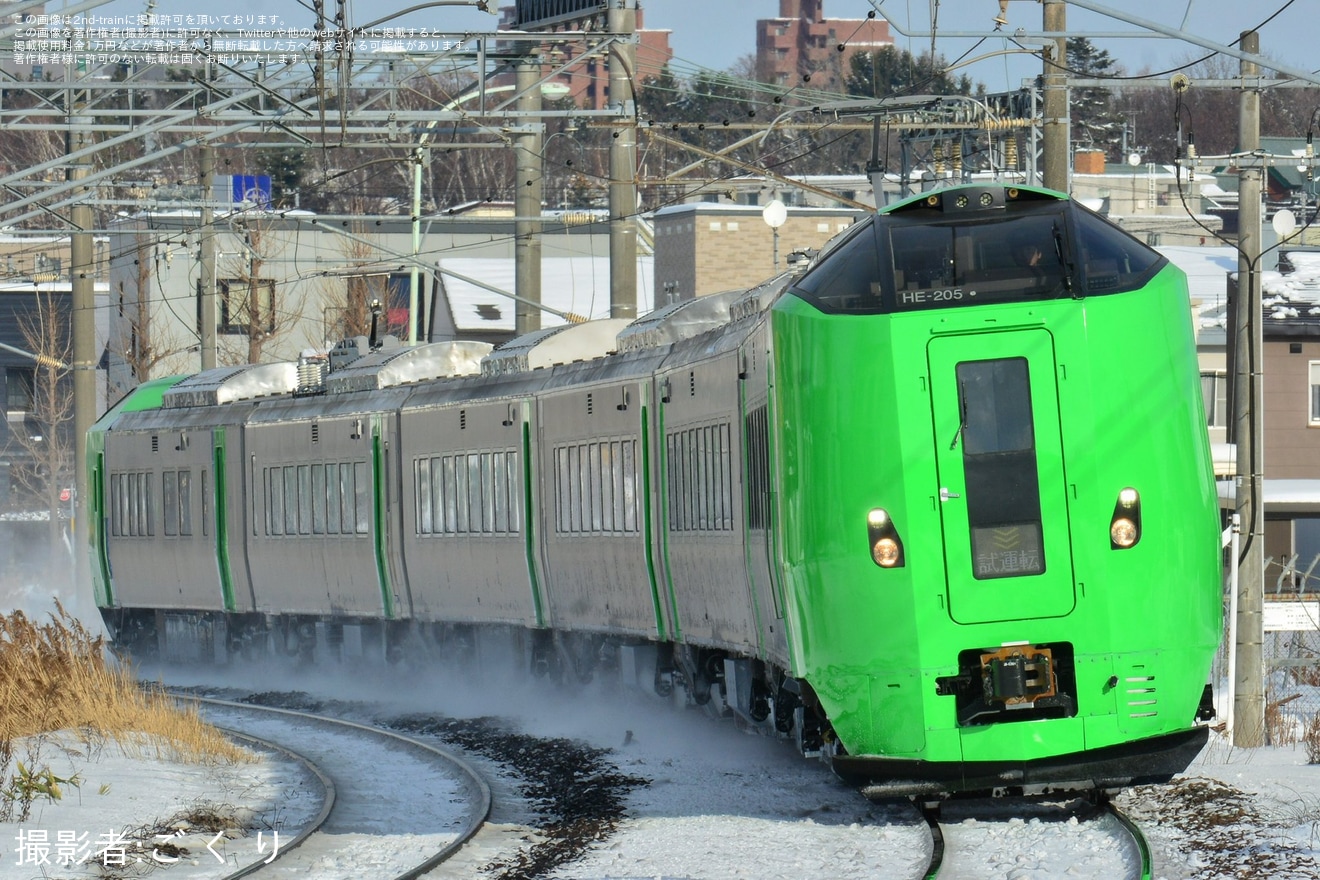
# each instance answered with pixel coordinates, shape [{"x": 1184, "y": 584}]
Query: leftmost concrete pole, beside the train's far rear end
[{"x": 82, "y": 274}]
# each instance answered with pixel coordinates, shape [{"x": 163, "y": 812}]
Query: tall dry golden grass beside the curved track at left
[{"x": 55, "y": 677}]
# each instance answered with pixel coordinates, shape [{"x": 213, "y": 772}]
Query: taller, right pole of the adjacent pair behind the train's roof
[{"x": 624, "y": 162}]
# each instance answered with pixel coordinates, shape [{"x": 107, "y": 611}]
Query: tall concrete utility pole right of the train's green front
[{"x": 1248, "y": 390}]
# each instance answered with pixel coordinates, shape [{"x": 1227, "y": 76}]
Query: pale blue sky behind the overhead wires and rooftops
[{"x": 716, "y": 34}]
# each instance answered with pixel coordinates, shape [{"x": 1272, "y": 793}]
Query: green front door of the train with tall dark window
[{"x": 1001, "y": 477}]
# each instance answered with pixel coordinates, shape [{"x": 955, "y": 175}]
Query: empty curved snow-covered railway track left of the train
[{"x": 368, "y": 775}]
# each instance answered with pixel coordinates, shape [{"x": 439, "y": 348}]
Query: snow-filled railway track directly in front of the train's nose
[{"x": 1006, "y": 838}]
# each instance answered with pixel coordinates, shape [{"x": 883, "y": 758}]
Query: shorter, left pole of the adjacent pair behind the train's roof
[{"x": 527, "y": 200}]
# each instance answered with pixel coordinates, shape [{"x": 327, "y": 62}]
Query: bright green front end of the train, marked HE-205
[{"x": 999, "y": 515}]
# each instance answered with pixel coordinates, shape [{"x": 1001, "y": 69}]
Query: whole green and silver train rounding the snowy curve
[{"x": 939, "y": 509}]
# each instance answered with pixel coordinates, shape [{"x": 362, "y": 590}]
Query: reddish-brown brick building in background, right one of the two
[{"x": 803, "y": 43}]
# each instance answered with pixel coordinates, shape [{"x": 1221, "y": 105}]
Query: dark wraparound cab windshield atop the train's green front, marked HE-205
[{"x": 929, "y": 261}]
